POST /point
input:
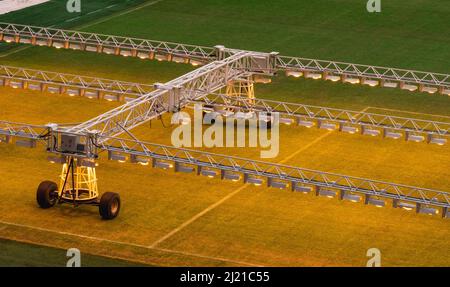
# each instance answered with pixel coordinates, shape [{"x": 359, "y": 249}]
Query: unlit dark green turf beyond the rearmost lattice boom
[{"x": 413, "y": 34}]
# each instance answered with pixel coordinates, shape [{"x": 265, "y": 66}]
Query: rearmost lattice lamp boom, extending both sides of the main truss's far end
[{"x": 66, "y": 39}]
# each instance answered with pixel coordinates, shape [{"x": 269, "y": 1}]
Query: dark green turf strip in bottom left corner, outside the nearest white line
[{"x": 16, "y": 254}]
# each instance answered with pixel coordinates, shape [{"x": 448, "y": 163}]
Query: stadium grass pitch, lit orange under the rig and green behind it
[{"x": 181, "y": 219}]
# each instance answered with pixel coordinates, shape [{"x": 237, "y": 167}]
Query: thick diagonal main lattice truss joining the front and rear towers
[{"x": 170, "y": 96}]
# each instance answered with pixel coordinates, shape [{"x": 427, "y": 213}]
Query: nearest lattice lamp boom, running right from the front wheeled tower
[{"x": 278, "y": 171}]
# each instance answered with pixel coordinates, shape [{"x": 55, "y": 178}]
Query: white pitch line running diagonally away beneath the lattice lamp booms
[{"x": 230, "y": 195}]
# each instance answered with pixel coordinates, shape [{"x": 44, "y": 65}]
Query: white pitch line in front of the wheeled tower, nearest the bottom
[{"x": 123, "y": 243}]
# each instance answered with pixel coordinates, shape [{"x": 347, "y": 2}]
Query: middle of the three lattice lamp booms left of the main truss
[{"x": 21, "y": 76}]
